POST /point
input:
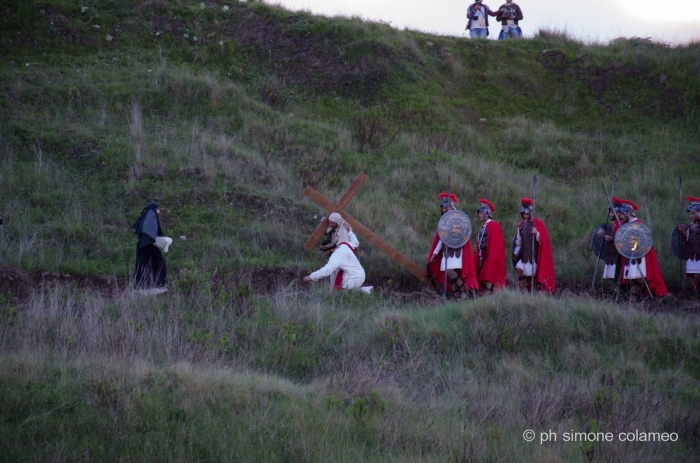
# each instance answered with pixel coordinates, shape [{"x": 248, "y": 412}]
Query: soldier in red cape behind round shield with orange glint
[{"x": 647, "y": 267}]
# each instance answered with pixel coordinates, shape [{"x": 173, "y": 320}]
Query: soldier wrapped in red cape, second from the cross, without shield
[{"x": 490, "y": 252}]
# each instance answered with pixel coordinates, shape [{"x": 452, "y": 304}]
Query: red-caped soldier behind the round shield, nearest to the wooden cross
[{"x": 458, "y": 263}]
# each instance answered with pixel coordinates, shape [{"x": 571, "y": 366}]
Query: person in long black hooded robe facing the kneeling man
[{"x": 150, "y": 271}]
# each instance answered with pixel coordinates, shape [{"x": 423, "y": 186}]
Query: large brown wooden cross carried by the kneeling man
[{"x": 365, "y": 232}]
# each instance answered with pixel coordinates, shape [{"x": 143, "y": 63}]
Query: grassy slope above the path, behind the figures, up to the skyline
[{"x": 223, "y": 116}]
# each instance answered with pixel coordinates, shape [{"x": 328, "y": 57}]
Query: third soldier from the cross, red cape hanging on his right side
[{"x": 533, "y": 233}]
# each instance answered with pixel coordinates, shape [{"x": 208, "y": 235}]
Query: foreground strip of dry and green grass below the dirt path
[{"x": 316, "y": 377}]
